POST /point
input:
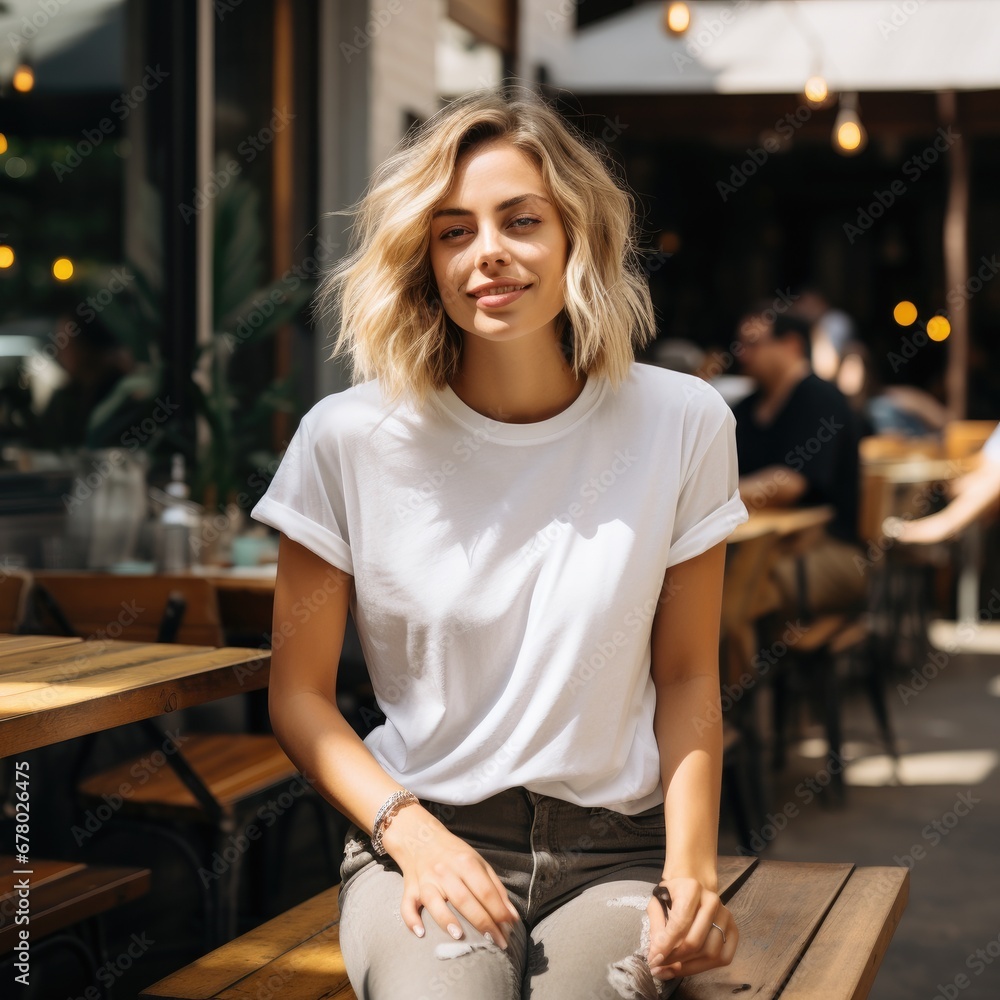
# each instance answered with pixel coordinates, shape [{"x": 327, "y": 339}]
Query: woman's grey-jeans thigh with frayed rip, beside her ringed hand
[{"x": 594, "y": 946}]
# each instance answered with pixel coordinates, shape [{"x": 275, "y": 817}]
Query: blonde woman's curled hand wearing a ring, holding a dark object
[{"x": 698, "y": 934}]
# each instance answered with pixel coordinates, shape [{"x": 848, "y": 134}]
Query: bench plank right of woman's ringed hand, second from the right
[{"x": 778, "y": 910}]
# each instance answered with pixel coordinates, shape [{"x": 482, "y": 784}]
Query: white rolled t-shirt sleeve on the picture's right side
[{"x": 709, "y": 505}]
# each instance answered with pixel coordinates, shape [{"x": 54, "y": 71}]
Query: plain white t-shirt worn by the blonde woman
[{"x": 506, "y": 574}]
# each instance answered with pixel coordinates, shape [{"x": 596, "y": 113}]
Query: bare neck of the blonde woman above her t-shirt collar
[{"x": 518, "y": 381}]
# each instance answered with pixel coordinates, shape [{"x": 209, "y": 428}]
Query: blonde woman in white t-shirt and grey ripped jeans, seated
[{"x": 528, "y": 529}]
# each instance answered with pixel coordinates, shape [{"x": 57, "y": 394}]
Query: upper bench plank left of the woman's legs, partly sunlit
[{"x": 229, "y": 965}]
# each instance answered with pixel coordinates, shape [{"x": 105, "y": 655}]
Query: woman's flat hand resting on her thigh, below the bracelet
[{"x": 439, "y": 868}]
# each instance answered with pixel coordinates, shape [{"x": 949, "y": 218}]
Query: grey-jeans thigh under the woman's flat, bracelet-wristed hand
[{"x": 385, "y": 960}]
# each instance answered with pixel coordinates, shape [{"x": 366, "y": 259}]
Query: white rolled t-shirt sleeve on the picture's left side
[{"x": 305, "y": 500}]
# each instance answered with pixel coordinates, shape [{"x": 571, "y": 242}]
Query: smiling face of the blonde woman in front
[{"x": 498, "y": 247}]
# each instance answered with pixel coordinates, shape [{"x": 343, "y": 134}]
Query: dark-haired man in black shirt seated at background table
[{"x": 797, "y": 441}]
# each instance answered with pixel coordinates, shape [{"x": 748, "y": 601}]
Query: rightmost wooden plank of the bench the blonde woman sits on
[{"x": 844, "y": 957}]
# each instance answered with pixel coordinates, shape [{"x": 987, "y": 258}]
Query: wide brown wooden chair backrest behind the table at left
[{"x": 132, "y": 607}]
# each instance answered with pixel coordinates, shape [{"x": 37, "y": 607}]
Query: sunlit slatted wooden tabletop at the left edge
[{"x": 54, "y": 689}]
